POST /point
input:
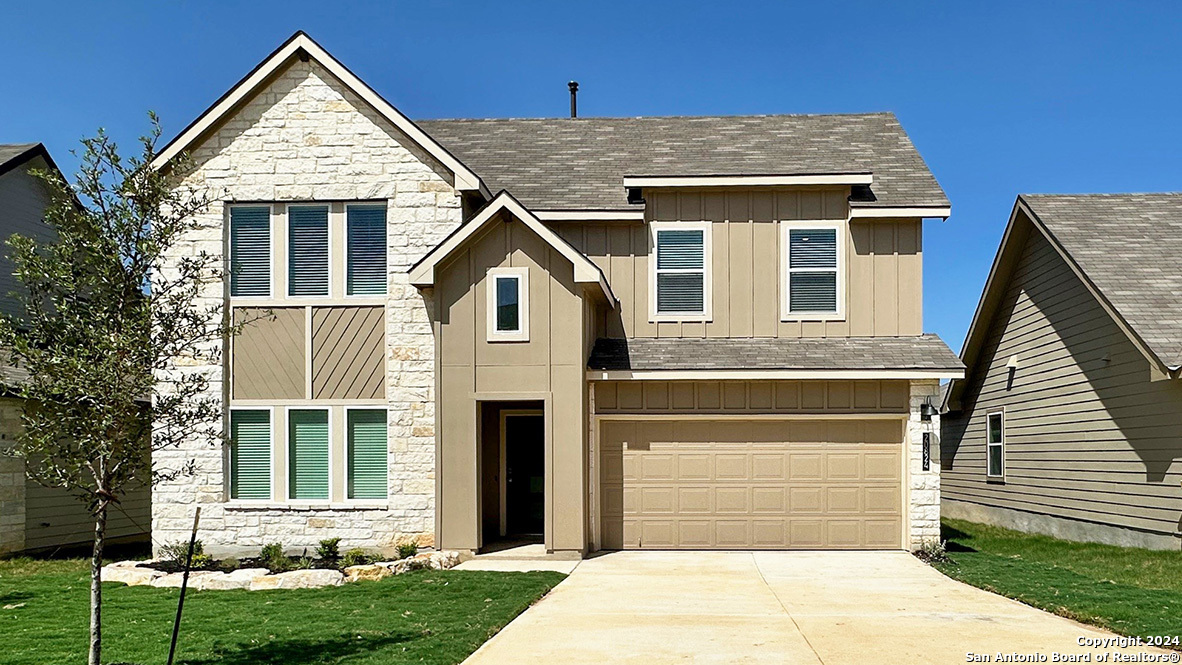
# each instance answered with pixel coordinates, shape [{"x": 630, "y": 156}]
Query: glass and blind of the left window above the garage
[{"x": 681, "y": 271}]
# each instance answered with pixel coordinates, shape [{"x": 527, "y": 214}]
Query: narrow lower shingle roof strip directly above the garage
[{"x": 924, "y": 353}]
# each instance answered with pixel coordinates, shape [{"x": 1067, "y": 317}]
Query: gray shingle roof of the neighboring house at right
[{"x": 1128, "y": 246}]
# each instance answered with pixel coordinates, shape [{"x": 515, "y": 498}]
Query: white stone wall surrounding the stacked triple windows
[{"x": 308, "y": 138}]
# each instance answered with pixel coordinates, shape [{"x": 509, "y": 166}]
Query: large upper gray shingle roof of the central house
[{"x": 563, "y": 164}]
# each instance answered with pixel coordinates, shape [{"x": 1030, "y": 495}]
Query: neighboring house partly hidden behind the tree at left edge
[{"x": 35, "y": 518}]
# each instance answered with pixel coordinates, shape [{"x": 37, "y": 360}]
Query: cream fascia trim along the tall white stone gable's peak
[{"x": 465, "y": 179}]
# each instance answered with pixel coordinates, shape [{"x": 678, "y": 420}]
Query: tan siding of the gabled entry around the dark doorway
[{"x": 549, "y": 368}]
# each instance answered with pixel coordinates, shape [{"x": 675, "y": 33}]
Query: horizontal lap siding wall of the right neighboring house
[{"x": 1089, "y": 436}]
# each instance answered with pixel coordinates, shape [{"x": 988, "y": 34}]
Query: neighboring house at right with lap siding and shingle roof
[{"x": 1069, "y": 421}]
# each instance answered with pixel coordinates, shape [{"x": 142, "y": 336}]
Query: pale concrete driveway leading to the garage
[{"x": 830, "y": 609}]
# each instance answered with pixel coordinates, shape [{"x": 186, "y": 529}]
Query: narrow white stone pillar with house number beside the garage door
[{"x": 924, "y": 487}]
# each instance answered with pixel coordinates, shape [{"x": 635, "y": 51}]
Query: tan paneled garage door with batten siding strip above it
[{"x": 787, "y": 465}]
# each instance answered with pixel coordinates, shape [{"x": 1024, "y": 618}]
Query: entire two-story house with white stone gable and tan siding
[{"x": 599, "y": 334}]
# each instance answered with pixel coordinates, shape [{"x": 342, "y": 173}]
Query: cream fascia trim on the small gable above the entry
[{"x": 424, "y": 273}]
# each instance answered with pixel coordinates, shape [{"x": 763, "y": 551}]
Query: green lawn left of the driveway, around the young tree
[{"x": 426, "y": 617}]
